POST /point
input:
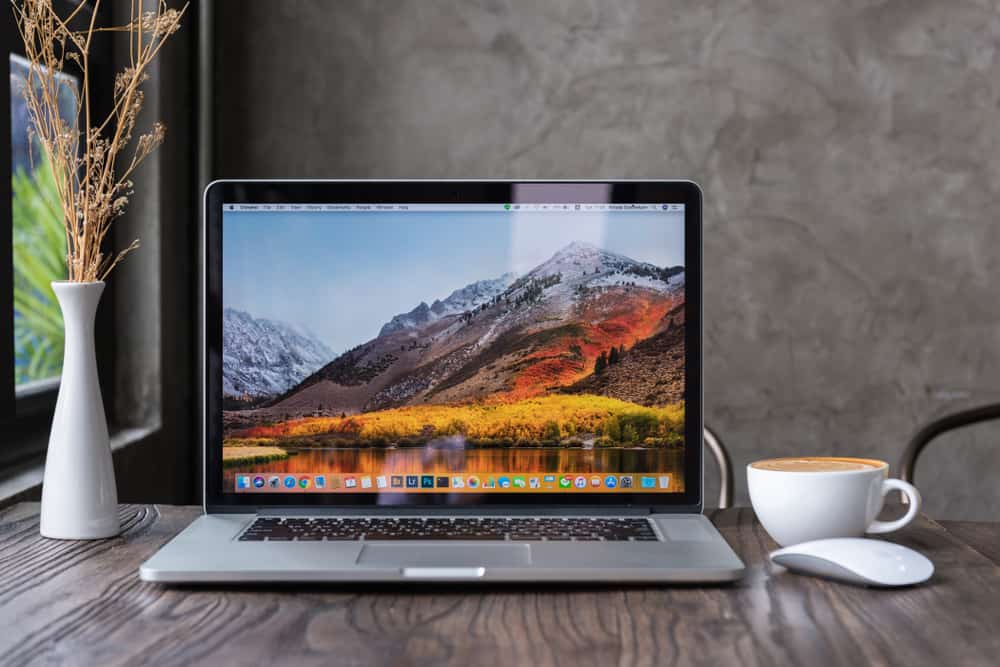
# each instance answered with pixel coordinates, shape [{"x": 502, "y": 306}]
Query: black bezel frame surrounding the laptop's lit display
[{"x": 218, "y": 500}]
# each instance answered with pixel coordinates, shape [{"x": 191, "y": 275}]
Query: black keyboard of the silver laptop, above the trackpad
[{"x": 551, "y": 529}]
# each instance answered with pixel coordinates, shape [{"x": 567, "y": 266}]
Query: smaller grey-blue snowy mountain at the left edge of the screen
[{"x": 262, "y": 358}]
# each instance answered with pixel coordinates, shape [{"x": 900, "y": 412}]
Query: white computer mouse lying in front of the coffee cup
[{"x": 857, "y": 560}]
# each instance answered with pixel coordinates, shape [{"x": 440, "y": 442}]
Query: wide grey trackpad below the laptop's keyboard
[{"x": 443, "y": 555}]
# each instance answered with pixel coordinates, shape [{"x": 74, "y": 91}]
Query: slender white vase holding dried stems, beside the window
[{"x": 79, "y": 497}]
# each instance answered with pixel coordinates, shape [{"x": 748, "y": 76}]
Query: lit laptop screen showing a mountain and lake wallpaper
[{"x": 453, "y": 348}]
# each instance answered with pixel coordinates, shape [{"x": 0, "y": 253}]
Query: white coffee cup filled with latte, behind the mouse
[{"x": 799, "y": 499}]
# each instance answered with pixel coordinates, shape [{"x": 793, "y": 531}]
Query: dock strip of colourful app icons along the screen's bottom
[{"x": 451, "y": 483}]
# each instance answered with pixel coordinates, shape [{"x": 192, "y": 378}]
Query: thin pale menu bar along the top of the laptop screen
[{"x": 480, "y": 208}]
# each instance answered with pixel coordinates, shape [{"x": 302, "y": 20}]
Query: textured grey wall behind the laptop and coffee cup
[{"x": 848, "y": 153}]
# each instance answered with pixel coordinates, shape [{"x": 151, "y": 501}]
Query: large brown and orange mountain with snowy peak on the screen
[{"x": 511, "y": 338}]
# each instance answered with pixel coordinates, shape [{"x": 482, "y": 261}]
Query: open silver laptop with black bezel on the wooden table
[{"x": 489, "y": 381}]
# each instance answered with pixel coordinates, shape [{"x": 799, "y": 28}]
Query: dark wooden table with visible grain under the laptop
[{"x": 83, "y": 603}]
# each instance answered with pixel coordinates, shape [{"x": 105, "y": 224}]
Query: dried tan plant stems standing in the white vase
[{"x": 93, "y": 192}]
